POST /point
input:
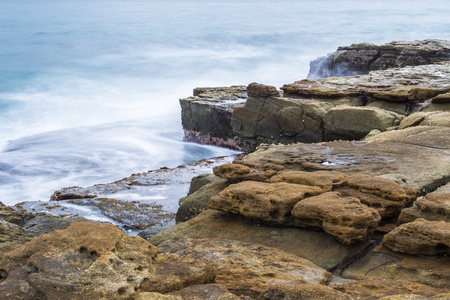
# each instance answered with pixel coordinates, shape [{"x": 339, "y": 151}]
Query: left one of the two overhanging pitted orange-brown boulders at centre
[{"x": 270, "y": 202}]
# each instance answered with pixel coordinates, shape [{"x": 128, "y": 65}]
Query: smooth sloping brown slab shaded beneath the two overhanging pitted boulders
[{"x": 316, "y": 246}]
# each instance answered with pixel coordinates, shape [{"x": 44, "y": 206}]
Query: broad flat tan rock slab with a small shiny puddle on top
[{"x": 388, "y": 155}]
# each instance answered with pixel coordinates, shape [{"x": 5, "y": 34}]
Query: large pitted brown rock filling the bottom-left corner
[{"x": 86, "y": 260}]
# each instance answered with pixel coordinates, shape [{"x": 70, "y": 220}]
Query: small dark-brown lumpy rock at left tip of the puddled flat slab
[{"x": 236, "y": 173}]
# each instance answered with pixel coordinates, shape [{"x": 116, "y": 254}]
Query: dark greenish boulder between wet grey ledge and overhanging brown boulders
[{"x": 197, "y": 202}]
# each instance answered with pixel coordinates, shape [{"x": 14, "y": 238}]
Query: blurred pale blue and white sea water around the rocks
[{"x": 89, "y": 89}]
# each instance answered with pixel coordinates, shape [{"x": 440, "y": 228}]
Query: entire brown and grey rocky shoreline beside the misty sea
[{"x": 344, "y": 194}]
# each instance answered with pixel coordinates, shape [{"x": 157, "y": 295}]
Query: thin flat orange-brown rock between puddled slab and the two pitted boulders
[{"x": 323, "y": 179}]
